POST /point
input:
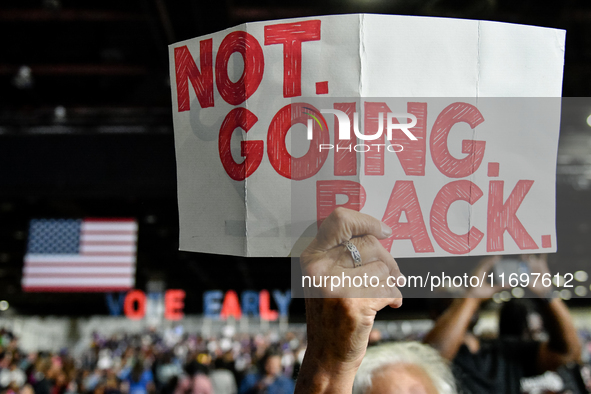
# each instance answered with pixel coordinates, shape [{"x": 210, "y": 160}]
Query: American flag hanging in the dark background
[{"x": 80, "y": 255}]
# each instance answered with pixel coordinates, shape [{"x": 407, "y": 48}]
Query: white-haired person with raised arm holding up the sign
[{"x": 339, "y": 321}]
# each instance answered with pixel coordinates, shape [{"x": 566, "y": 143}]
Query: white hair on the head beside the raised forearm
[{"x": 410, "y": 353}]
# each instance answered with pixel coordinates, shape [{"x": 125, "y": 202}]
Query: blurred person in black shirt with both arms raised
[{"x": 500, "y": 365}]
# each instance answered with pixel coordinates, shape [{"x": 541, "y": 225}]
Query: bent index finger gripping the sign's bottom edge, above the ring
[{"x": 343, "y": 224}]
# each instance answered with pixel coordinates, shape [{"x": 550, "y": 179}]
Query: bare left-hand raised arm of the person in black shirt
[{"x": 448, "y": 333}]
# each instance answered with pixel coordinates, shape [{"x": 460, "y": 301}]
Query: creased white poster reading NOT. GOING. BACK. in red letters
[{"x": 445, "y": 129}]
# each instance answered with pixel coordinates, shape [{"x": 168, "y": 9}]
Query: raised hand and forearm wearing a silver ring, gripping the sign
[{"x": 340, "y": 320}]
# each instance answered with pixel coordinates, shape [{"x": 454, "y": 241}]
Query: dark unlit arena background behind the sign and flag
[{"x": 86, "y": 130}]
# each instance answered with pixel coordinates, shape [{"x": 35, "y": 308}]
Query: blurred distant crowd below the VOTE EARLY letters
[{"x": 168, "y": 362}]
